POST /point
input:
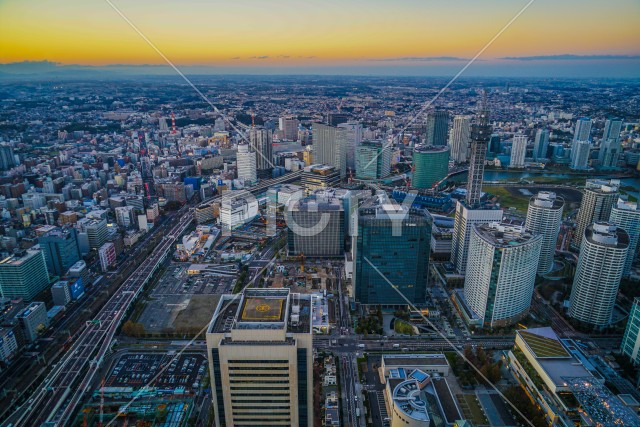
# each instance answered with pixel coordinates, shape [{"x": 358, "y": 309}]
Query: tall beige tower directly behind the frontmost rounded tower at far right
[{"x": 597, "y": 202}]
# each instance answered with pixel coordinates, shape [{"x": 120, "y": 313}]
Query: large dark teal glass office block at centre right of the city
[{"x": 391, "y": 253}]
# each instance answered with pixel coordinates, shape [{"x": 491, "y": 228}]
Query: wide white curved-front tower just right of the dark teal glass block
[{"x": 501, "y": 272}]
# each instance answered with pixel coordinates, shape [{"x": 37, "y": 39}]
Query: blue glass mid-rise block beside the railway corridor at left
[{"x": 60, "y": 248}]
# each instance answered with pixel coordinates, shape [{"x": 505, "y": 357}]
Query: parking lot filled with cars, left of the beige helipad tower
[{"x": 139, "y": 370}]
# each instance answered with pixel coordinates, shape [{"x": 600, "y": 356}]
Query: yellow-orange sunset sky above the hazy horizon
[{"x": 315, "y": 34}]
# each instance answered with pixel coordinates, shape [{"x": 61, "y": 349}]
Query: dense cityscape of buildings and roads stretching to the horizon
[{"x": 337, "y": 251}]
